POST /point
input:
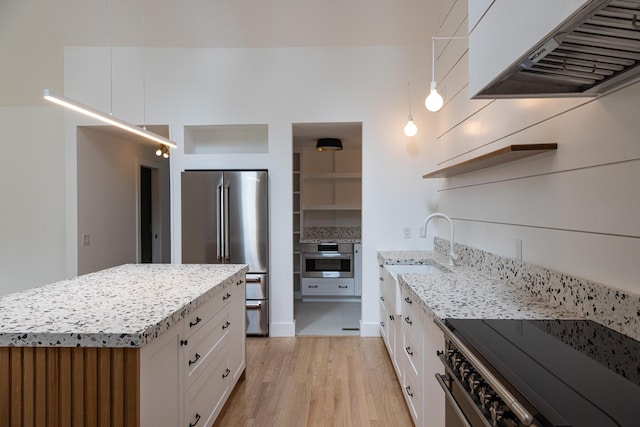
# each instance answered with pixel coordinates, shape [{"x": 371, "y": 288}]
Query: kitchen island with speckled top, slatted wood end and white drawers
[{"x": 134, "y": 345}]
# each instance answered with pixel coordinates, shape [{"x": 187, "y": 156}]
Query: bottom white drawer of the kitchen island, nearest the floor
[{"x": 204, "y": 400}]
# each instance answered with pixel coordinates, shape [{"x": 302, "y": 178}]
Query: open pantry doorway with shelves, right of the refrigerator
[{"x": 327, "y": 200}]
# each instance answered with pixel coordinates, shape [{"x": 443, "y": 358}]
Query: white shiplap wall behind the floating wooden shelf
[{"x": 575, "y": 210}]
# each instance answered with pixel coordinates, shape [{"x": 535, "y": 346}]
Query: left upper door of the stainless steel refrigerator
[{"x": 200, "y": 216}]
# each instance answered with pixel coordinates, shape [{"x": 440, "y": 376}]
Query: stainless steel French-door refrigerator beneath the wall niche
[{"x": 225, "y": 221}]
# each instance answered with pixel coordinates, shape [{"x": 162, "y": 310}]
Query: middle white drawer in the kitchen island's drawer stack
[{"x": 203, "y": 345}]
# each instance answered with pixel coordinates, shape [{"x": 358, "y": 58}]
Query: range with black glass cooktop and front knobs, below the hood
[{"x": 539, "y": 373}]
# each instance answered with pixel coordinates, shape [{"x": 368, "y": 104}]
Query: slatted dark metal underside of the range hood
[{"x": 592, "y": 52}]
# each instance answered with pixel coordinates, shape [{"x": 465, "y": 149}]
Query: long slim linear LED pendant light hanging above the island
[{"x": 102, "y": 116}]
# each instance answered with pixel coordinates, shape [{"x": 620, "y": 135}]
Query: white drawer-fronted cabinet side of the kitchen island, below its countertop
[{"x": 188, "y": 372}]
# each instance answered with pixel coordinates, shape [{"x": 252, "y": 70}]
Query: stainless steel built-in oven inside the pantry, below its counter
[{"x": 327, "y": 260}]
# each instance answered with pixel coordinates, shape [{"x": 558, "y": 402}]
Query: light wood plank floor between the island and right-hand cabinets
[{"x": 316, "y": 381}]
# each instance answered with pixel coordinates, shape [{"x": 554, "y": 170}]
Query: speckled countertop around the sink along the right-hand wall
[{"x": 465, "y": 293}]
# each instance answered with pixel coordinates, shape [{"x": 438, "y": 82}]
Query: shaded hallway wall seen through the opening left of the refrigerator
[{"x": 108, "y": 198}]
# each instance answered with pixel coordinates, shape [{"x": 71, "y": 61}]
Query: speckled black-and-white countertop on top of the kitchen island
[{"x": 124, "y": 306}]
